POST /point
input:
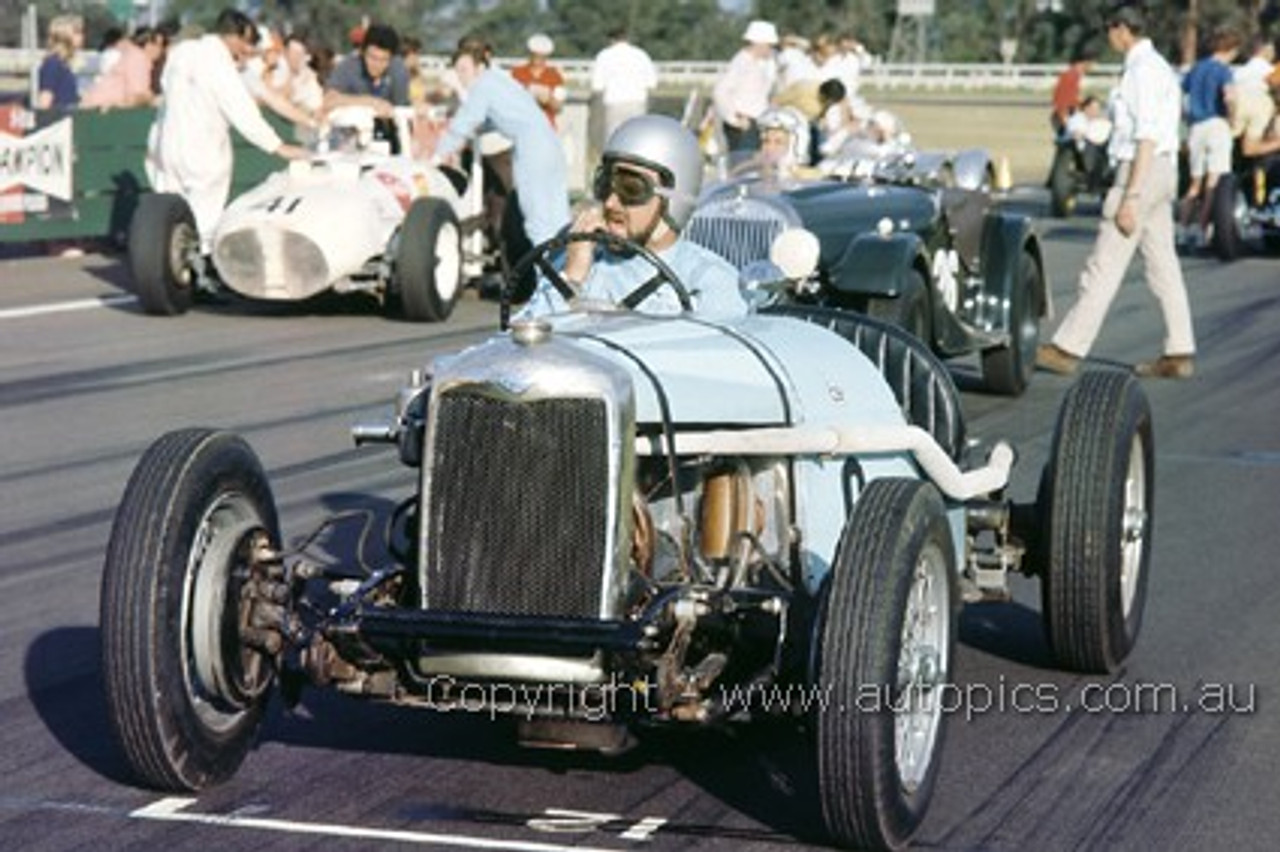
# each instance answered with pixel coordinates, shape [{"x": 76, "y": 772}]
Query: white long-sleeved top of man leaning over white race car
[{"x": 204, "y": 98}]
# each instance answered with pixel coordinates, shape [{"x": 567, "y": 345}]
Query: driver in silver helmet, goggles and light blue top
[{"x": 647, "y": 185}]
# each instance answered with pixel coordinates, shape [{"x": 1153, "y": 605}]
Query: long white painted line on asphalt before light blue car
[{"x": 171, "y": 810}]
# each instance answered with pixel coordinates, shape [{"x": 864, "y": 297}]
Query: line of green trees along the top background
[{"x": 989, "y": 31}]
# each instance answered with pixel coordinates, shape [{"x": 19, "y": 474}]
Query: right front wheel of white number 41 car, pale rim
[{"x": 429, "y": 262}]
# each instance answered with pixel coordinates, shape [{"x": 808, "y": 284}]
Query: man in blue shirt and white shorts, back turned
[{"x": 1209, "y": 143}]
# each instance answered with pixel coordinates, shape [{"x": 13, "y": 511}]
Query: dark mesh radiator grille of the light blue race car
[{"x": 519, "y": 506}]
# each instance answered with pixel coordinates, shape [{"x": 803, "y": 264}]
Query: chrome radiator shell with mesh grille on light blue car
[{"x": 529, "y": 451}]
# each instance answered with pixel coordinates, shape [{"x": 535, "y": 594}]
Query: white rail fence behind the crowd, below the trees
[{"x": 940, "y": 77}]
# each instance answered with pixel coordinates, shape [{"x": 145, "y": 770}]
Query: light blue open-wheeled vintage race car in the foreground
[{"x": 627, "y": 521}]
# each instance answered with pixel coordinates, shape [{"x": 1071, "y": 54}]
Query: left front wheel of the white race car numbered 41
[{"x": 163, "y": 249}]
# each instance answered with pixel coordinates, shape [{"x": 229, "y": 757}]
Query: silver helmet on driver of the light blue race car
[{"x": 666, "y": 146}]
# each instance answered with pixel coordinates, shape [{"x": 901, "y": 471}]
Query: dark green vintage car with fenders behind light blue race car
[{"x": 911, "y": 242}]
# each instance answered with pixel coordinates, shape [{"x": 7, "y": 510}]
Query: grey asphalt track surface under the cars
[{"x": 1180, "y": 752}]
